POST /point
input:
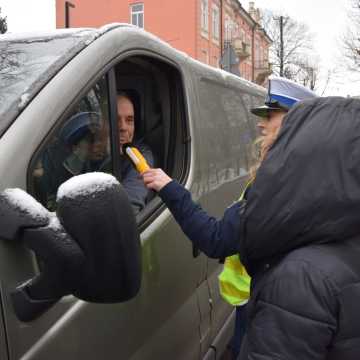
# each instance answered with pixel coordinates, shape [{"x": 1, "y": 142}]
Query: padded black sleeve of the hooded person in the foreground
[{"x": 292, "y": 317}]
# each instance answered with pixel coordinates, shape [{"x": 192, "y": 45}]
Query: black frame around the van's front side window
[{"x": 152, "y": 210}]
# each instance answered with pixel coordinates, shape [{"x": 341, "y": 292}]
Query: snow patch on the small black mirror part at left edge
[{"x": 26, "y": 204}]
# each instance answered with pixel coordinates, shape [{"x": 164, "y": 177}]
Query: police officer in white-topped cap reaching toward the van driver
[{"x": 220, "y": 238}]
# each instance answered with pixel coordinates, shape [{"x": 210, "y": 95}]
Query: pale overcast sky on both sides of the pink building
[{"x": 325, "y": 18}]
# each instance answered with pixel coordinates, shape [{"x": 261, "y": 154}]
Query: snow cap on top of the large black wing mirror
[{"x": 85, "y": 184}]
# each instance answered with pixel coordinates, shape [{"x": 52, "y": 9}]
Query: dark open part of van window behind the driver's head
[{"x": 156, "y": 91}]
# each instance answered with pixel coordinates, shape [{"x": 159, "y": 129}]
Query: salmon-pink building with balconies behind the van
[{"x": 216, "y": 32}]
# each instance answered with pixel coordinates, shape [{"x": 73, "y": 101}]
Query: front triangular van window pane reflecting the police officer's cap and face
[{"x": 79, "y": 145}]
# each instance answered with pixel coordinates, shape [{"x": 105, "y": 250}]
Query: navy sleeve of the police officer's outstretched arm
[{"x": 216, "y": 238}]
